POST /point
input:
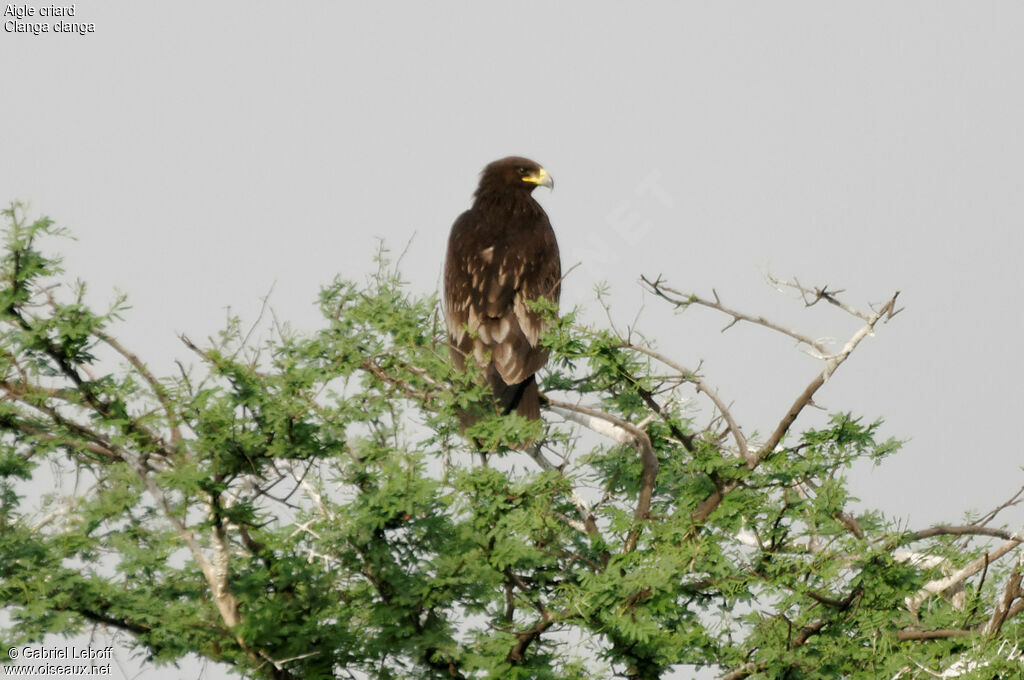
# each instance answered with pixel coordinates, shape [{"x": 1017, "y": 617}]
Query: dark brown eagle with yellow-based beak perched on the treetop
[{"x": 502, "y": 254}]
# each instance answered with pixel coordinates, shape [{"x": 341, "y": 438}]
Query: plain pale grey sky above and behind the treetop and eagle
[{"x": 203, "y": 153}]
